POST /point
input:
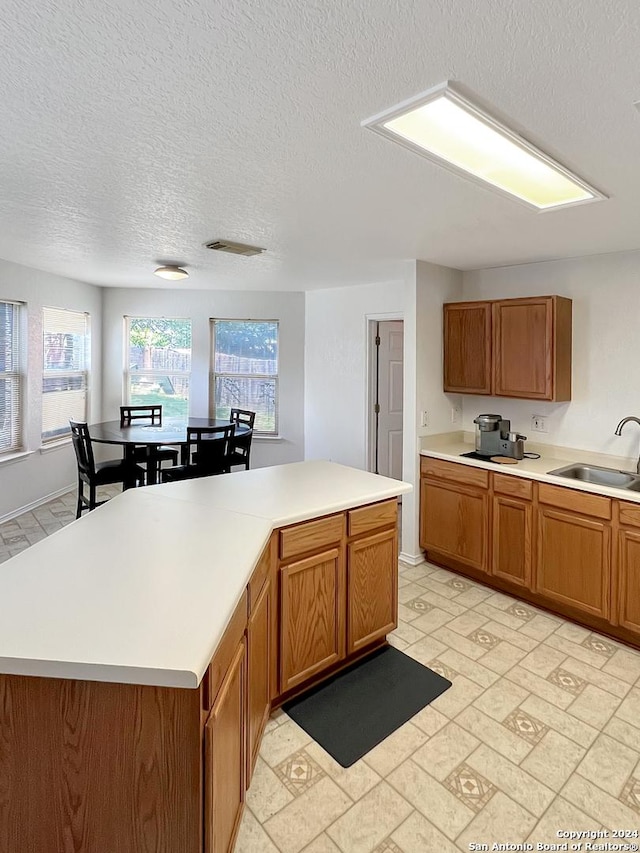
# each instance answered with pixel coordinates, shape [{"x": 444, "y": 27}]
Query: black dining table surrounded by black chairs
[{"x": 170, "y": 432}]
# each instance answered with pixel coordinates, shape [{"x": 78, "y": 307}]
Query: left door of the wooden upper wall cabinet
[{"x": 467, "y": 347}]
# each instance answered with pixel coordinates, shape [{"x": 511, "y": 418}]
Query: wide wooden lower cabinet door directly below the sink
[{"x": 574, "y": 560}]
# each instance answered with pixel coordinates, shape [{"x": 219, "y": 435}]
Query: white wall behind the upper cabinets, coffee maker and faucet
[{"x": 605, "y": 290}]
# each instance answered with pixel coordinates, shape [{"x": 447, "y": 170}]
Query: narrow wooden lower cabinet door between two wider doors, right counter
[{"x": 511, "y": 553}]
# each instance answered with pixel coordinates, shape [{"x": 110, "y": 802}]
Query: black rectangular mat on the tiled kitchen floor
[{"x": 359, "y": 707}]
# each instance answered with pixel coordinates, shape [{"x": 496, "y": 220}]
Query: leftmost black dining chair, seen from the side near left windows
[{"x": 98, "y": 474}]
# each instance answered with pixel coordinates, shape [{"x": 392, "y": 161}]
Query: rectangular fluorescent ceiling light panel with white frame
[{"x": 447, "y": 128}]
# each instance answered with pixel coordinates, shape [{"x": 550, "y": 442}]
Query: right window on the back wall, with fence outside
[{"x": 245, "y": 370}]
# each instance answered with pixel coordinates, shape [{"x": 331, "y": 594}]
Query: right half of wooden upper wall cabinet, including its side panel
[{"x": 532, "y": 348}]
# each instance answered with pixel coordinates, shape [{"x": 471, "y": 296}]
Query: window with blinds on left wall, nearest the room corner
[{"x": 65, "y": 377}]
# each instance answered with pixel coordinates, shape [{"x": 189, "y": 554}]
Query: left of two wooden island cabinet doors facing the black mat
[{"x": 312, "y": 616}]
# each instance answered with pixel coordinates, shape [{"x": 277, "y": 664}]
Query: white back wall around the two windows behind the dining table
[{"x": 200, "y": 306}]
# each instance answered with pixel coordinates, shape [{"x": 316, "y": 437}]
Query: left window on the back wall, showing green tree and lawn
[{"x": 158, "y": 367}]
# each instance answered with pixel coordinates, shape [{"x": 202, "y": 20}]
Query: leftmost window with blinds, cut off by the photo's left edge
[{"x": 10, "y": 378}]
